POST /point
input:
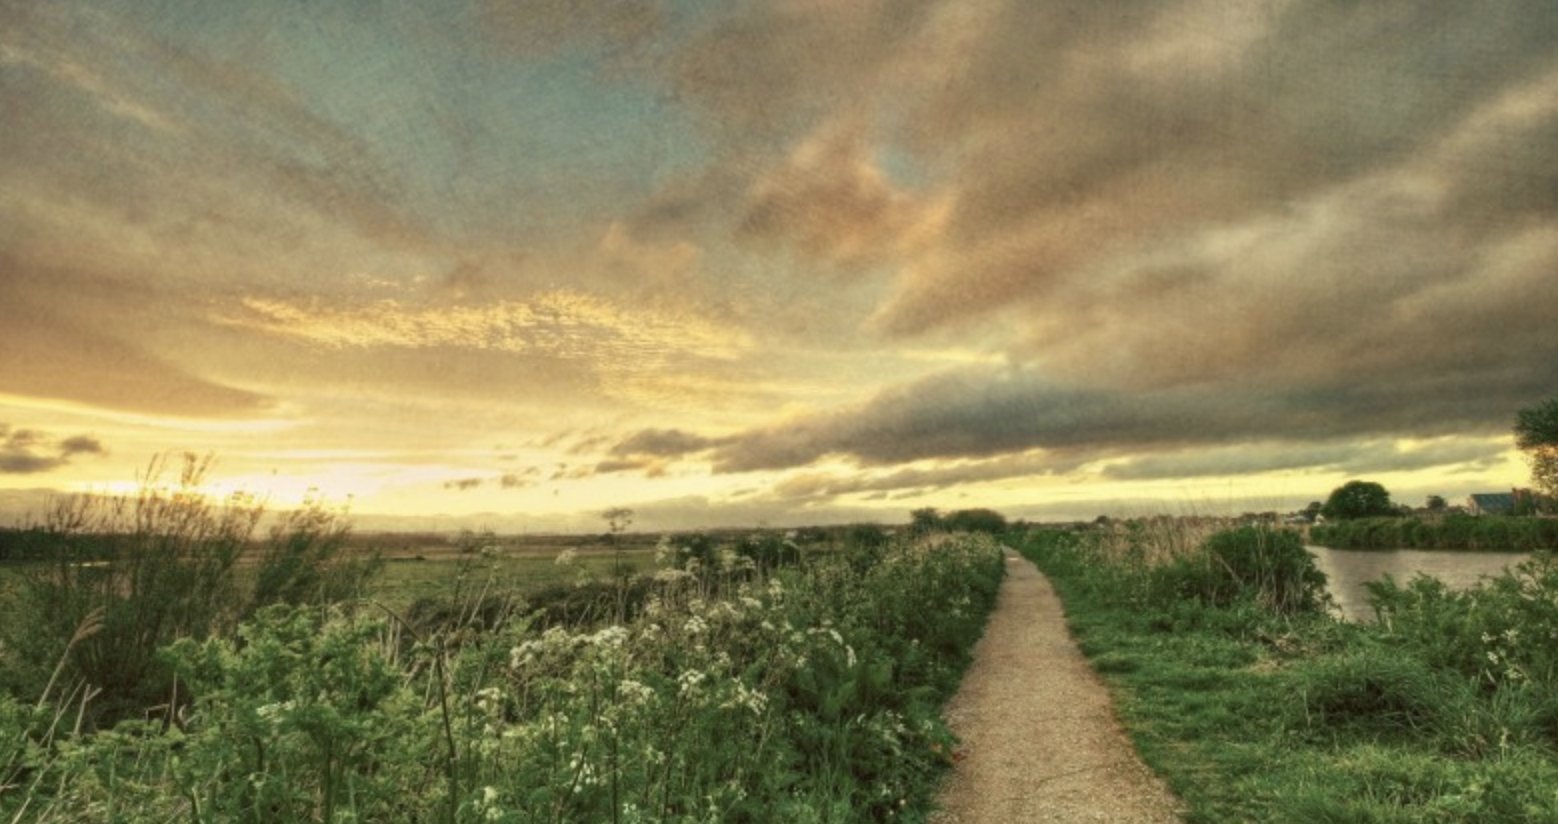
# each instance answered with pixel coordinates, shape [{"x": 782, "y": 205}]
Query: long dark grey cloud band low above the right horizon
[{"x": 979, "y": 414}]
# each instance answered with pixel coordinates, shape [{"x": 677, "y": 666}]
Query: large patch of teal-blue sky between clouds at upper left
[{"x": 476, "y": 141}]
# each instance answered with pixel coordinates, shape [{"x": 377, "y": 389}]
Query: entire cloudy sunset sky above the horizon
[{"x": 507, "y": 264}]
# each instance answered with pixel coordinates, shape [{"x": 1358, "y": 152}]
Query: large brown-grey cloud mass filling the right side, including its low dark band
[{"x": 1200, "y": 224}]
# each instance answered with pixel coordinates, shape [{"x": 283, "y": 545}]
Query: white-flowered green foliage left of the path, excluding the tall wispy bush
[{"x": 811, "y": 694}]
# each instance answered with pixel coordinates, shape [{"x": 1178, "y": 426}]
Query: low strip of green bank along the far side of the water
[{"x": 1496, "y": 533}]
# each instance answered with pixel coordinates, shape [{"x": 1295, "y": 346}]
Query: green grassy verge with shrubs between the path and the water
[{"x": 1255, "y": 711}]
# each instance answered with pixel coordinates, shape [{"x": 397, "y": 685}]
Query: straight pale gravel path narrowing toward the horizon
[{"x": 1040, "y": 738}]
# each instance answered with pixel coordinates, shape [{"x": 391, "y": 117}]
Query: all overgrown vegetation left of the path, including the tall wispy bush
[{"x": 746, "y": 683}]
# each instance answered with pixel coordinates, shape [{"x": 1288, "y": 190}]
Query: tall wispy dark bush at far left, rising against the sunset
[{"x": 124, "y": 577}]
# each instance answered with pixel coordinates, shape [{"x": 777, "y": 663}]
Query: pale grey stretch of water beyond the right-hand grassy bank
[{"x": 1347, "y": 571}]
